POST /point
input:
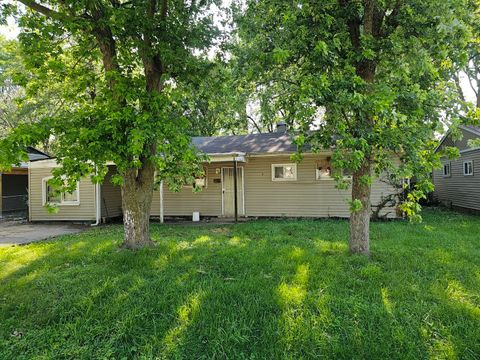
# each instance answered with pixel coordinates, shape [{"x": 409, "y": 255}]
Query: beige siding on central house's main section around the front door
[{"x": 305, "y": 197}]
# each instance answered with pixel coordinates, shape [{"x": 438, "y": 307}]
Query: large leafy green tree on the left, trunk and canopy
[{"x": 138, "y": 60}]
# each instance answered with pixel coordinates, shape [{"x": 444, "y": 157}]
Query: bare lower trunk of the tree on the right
[{"x": 359, "y": 242}]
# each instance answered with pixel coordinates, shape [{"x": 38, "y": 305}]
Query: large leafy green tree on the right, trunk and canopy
[{"x": 372, "y": 76}]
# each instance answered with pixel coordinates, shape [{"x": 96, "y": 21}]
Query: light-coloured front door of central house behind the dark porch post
[{"x": 228, "y": 192}]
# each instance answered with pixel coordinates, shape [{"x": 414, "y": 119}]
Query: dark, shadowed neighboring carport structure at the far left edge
[{"x": 14, "y": 185}]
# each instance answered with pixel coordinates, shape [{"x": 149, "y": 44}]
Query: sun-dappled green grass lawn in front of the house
[{"x": 259, "y": 290}]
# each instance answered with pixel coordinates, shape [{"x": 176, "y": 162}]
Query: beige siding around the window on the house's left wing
[{"x": 85, "y": 211}]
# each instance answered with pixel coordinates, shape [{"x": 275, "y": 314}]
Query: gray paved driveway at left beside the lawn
[{"x": 12, "y": 233}]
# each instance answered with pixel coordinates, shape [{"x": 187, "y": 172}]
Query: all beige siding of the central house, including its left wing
[{"x": 305, "y": 197}]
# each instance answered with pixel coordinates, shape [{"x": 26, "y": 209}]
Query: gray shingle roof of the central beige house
[{"x": 269, "y": 143}]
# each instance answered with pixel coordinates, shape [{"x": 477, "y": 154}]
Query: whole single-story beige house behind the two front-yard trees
[{"x": 269, "y": 184}]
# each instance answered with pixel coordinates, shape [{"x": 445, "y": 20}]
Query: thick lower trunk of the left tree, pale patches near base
[{"x": 137, "y": 192}]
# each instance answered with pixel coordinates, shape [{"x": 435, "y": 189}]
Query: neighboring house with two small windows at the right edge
[{"x": 457, "y": 183}]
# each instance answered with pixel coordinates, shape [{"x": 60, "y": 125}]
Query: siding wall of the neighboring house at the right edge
[{"x": 458, "y": 189}]
